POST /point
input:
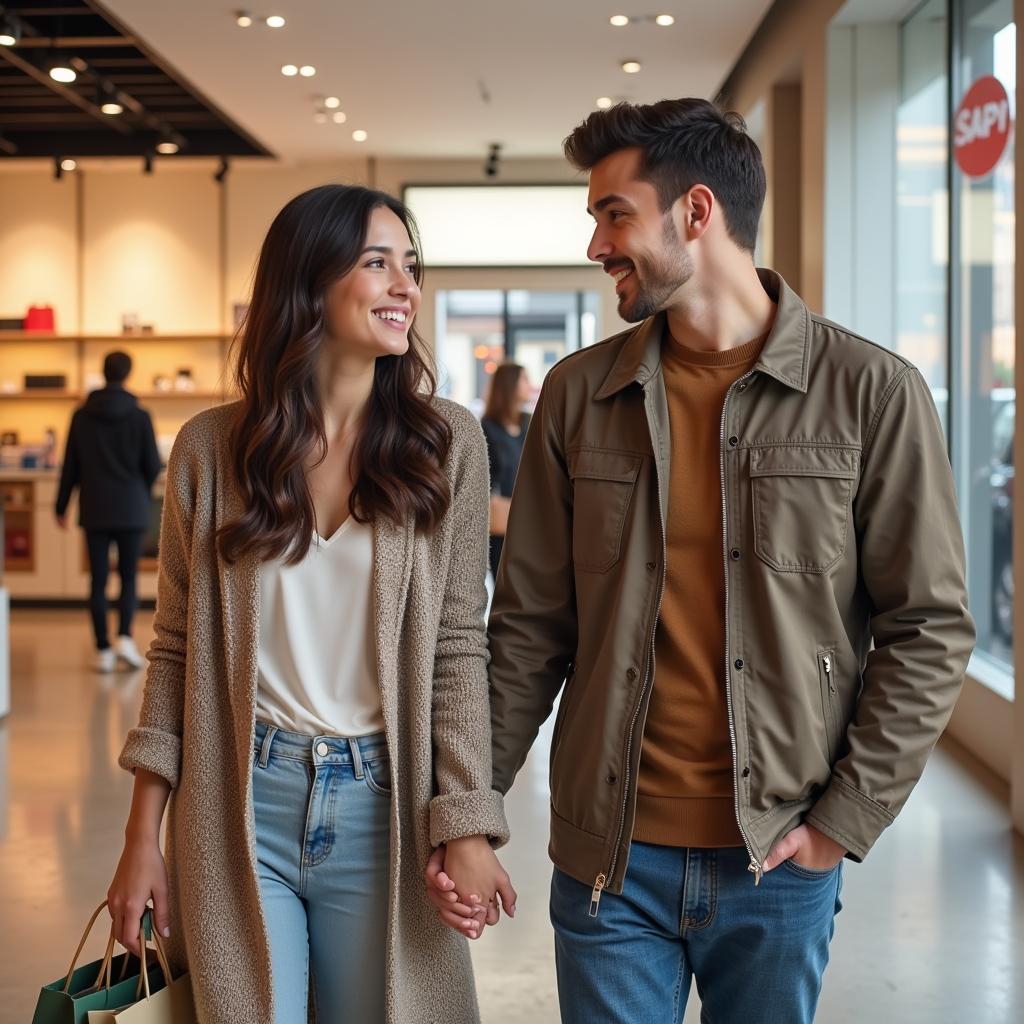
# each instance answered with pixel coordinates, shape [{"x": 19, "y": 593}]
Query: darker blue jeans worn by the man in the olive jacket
[{"x": 757, "y": 953}]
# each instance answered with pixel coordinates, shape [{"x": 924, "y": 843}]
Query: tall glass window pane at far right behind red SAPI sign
[{"x": 984, "y": 397}]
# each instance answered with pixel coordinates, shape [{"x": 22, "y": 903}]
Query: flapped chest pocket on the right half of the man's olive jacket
[{"x": 802, "y": 497}]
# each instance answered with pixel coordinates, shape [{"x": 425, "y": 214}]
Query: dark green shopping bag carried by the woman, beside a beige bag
[{"x": 69, "y": 1000}]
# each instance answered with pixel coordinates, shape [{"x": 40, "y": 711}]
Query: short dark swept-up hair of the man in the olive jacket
[{"x": 685, "y": 143}]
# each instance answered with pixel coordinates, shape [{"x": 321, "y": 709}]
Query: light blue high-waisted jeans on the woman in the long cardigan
[{"x": 323, "y": 808}]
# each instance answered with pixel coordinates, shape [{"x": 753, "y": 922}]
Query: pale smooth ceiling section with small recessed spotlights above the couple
[{"x": 443, "y": 79}]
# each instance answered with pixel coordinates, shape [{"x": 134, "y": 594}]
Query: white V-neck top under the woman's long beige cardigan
[{"x": 317, "y": 658}]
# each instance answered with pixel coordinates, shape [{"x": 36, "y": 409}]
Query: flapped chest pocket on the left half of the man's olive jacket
[{"x": 603, "y": 489}]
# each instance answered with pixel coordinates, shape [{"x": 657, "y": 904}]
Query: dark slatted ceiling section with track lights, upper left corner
[{"x": 41, "y": 118}]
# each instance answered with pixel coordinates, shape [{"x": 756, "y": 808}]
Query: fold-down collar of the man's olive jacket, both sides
[{"x": 785, "y": 357}]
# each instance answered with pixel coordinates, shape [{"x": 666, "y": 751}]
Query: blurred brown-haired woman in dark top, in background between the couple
[{"x": 504, "y": 425}]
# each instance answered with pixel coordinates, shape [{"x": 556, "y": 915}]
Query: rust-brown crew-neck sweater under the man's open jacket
[{"x": 686, "y": 795}]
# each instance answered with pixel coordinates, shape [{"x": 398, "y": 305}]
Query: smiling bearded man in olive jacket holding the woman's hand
[{"x": 717, "y": 515}]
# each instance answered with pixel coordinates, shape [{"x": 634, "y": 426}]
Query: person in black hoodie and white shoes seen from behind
[{"x": 112, "y": 458}]
